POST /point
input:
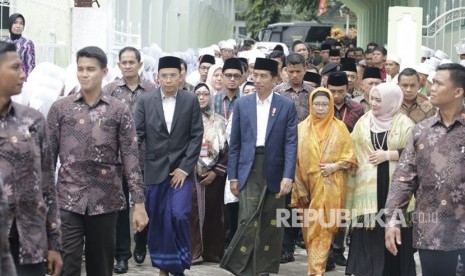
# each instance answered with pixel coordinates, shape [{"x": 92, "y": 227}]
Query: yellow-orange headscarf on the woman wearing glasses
[{"x": 321, "y": 125}]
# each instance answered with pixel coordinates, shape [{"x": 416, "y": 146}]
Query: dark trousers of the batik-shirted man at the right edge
[{"x": 436, "y": 262}]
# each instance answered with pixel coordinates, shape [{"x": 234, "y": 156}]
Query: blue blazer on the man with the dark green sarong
[{"x": 280, "y": 141}]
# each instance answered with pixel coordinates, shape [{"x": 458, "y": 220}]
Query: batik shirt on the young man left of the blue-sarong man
[{"x": 91, "y": 141}]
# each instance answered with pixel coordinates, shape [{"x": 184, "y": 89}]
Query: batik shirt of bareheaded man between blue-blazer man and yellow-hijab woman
[{"x": 300, "y": 98}]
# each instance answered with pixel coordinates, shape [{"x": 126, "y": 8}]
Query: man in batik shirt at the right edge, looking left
[{"x": 431, "y": 168}]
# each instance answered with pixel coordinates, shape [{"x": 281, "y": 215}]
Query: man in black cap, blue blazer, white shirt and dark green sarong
[{"x": 261, "y": 168}]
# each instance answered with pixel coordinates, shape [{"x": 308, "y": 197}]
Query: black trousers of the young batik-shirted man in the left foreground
[{"x": 99, "y": 235}]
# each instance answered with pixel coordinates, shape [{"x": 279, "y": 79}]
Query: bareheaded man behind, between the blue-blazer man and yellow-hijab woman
[{"x": 298, "y": 92}]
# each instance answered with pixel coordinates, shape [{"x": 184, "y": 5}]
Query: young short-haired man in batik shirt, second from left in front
[{"x": 93, "y": 134}]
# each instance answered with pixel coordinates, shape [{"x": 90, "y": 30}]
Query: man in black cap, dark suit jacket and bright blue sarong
[{"x": 170, "y": 122}]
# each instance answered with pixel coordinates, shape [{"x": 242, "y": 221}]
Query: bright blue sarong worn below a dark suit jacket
[{"x": 169, "y": 235}]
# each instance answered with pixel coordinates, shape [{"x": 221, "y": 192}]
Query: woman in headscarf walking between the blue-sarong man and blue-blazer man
[{"x": 207, "y": 220}]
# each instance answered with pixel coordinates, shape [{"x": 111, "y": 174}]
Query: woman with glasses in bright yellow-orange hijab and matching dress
[{"x": 325, "y": 154}]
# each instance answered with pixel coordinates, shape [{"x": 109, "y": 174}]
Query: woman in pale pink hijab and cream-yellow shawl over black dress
[{"x": 379, "y": 137}]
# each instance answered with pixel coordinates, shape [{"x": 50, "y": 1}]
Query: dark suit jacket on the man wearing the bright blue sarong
[{"x": 166, "y": 151}]
